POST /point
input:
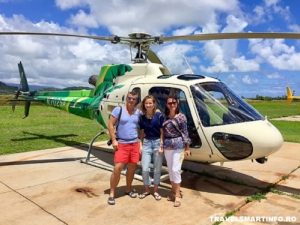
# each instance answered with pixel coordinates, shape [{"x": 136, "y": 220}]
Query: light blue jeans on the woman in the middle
[{"x": 150, "y": 149}]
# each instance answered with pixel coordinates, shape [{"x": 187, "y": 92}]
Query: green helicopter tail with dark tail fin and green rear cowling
[{"x": 83, "y": 103}]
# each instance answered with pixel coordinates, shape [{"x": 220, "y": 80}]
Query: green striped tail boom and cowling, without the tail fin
[{"x": 85, "y": 103}]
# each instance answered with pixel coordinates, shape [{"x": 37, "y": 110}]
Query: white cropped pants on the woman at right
[{"x": 174, "y": 160}]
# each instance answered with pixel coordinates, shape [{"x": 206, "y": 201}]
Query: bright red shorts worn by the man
[{"x": 128, "y": 153}]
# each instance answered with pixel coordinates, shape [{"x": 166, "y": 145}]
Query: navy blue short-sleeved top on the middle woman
[{"x": 152, "y": 126}]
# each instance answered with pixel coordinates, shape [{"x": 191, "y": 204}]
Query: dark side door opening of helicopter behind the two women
[{"x": 161, "y": 94}]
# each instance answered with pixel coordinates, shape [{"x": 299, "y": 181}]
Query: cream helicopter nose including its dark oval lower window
[{"x": 253, "y": 140}]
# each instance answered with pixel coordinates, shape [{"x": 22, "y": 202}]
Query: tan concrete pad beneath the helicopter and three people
[{"x": 53, "y": 187}]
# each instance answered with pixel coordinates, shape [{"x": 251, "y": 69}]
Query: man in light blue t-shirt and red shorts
[{"x": 126, "y": 144}]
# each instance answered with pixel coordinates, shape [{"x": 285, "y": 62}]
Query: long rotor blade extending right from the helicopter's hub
[{"x": 223, "y": 36}]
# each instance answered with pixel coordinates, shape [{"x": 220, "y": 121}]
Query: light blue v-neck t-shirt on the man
[{"x": 128, "y": 125}]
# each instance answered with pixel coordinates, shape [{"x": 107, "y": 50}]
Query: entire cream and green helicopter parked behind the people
[{"x": 222, "y": 126}]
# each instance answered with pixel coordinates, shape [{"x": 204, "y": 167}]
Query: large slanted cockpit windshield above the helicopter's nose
[{"x": 218, "y": 105}]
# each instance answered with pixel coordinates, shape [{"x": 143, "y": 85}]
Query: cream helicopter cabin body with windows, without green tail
[{"x": 222, "y": 126}]
